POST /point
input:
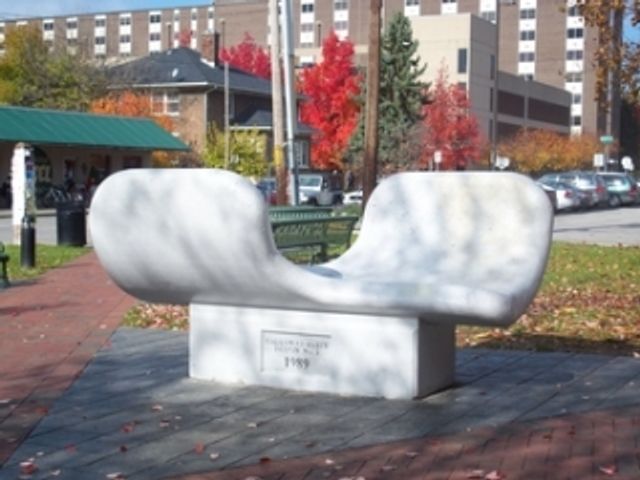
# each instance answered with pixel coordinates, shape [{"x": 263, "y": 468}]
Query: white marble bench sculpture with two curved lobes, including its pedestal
[{"x": 434, "y": 250}]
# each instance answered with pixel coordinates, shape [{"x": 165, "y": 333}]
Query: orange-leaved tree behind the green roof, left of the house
[{"x": 133, "y": 104}]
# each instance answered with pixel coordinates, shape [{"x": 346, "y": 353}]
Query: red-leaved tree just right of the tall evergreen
[{"x": 450, "y": 127}]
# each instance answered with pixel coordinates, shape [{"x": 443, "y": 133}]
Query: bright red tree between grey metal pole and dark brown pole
[{"x": 330, "y": 107}]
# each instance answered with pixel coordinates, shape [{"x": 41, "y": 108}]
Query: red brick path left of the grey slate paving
[{"x": 49, "y": 330}]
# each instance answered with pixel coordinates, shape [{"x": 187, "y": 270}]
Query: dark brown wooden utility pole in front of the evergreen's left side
[{"x": 370, "y": 162}]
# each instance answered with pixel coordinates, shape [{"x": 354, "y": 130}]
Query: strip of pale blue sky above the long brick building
[{"x": 39, "y": 8}]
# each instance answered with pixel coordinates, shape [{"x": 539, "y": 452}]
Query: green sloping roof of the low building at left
[{"x": 54, "y": 127}]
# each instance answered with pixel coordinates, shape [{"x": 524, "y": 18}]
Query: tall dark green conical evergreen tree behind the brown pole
[{"x": 402, "y": 99}]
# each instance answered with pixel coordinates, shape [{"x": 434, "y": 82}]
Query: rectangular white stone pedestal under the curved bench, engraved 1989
[{"x": 391, "y": 357}]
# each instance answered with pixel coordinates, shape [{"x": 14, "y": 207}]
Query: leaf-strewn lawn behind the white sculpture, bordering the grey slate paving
[{"x": 589, "y": 302}]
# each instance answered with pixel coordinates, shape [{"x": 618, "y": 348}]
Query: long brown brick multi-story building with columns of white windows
[{"x": 541, "y": 40}]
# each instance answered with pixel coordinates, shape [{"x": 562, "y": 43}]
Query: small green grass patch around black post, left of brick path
[{"x": 47, "y": 257}]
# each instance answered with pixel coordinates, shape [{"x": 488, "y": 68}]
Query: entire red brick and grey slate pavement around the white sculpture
[{"x": 81, "y": 398}]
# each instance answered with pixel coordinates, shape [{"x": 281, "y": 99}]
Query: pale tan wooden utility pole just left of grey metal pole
[{"x": 276, "y": 101}]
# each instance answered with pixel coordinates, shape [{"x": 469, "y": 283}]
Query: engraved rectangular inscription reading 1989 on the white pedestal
[{"x": 294, "y": 352}]
